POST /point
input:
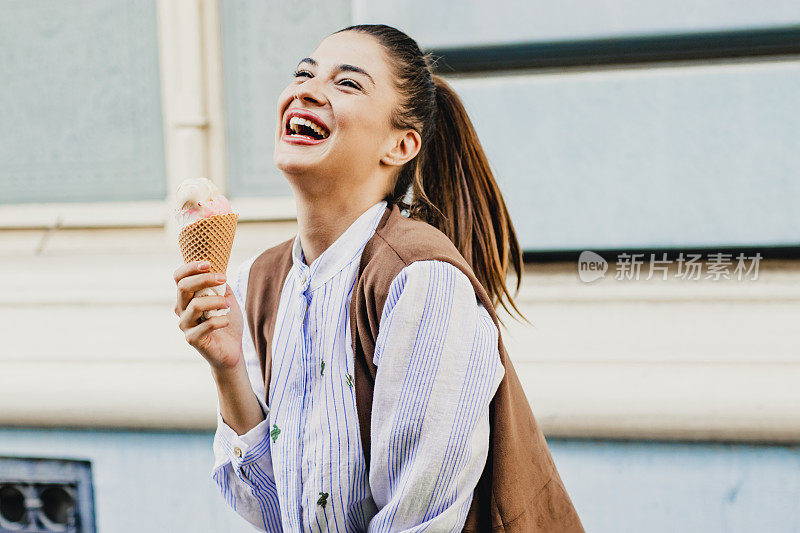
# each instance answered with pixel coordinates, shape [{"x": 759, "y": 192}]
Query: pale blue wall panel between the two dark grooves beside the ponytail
[{"x": 669, "y": 157}]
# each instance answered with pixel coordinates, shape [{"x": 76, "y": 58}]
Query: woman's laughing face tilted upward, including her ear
[{"x": 346, "y": 88}]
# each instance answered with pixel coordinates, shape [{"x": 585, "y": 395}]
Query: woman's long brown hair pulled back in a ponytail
[{"x": 452, "y": 184}]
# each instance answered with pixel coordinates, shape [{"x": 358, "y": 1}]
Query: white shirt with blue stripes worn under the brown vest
[{"x": 303, "y": 468}]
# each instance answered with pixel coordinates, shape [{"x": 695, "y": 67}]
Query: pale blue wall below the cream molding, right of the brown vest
[{"x": 660, "y": 487}]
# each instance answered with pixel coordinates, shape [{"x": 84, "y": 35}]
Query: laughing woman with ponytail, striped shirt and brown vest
[{"x": 363, "y": 384}]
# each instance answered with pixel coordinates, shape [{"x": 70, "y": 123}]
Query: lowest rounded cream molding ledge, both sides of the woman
[{"x": 728, "y": 402}]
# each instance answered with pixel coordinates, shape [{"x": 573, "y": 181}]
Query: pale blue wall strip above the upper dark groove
[{"x": 444, "y": 23}]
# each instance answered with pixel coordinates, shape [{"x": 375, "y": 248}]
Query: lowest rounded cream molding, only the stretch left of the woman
[{"x": 147, "y": 394}]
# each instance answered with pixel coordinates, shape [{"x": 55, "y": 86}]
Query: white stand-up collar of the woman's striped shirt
[{"x": 338, "y": 254}]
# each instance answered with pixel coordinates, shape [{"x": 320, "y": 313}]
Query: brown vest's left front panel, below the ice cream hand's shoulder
[{"x": 265, "y": 283}]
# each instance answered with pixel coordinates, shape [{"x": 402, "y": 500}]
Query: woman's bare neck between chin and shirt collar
[{"x": 322, "y": 219}]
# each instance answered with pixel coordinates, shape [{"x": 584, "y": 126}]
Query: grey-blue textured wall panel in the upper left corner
[{"x": 80, "y": 102}]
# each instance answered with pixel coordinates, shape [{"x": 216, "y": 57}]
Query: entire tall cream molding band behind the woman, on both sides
[{"x": 618, "y": 359}]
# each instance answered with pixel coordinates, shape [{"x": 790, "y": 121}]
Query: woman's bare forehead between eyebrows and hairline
[{"x": 353, "y": 48}]
